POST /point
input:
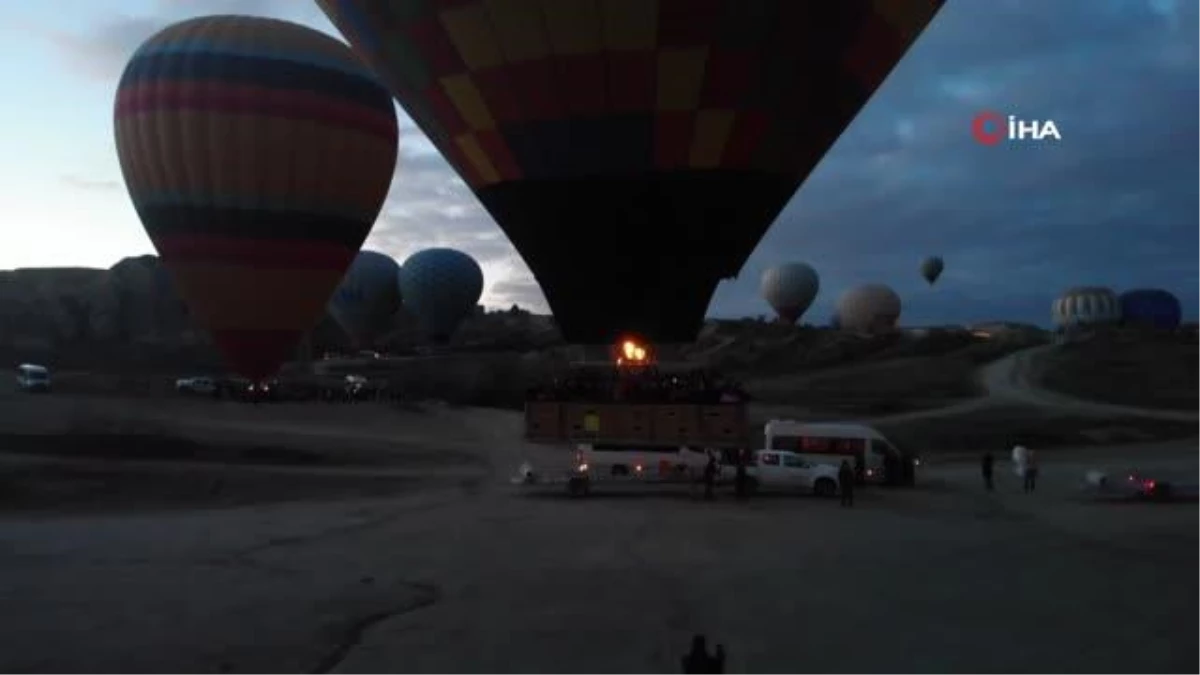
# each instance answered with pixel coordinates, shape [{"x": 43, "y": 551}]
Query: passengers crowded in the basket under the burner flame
[{"x": 640, "y": 386}]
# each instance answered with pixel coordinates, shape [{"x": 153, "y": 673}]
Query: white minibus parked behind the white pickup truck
[{"x": 833, "y": 443}]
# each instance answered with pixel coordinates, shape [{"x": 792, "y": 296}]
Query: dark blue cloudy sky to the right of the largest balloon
[{"x": 1113, "y": 204}]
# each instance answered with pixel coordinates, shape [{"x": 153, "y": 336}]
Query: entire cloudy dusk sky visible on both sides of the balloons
[{"x": 1113, "y": 204}]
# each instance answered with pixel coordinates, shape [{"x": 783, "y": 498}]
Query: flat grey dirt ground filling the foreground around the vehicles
[{"x": 446, "y": 569}]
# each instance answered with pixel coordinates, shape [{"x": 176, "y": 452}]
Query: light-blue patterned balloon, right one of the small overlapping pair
[{"x": 442, "y": 288}]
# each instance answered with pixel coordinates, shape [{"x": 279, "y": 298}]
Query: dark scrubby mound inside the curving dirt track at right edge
[{"x": 1159, "y": 372}]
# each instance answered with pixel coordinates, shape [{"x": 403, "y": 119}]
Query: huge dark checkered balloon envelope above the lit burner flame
[{"x": 634, "y": 152}]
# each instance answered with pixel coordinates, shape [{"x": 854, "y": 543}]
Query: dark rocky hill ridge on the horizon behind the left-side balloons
[{"x": 130, "y": 316}]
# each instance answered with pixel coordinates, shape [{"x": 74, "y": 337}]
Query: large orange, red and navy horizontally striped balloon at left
[{"x": 257, "y": 154}]
